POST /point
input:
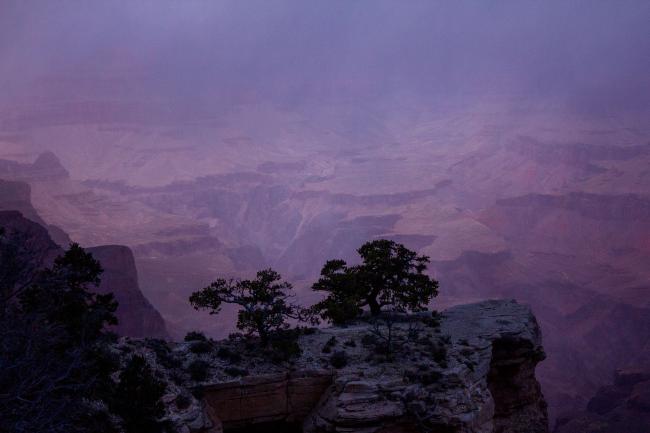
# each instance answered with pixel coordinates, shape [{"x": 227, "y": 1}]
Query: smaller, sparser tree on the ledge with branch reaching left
[{"x": 264, "y": 302}]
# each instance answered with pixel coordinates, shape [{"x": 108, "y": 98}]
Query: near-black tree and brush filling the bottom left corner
[{"x": 53, "y": 345}]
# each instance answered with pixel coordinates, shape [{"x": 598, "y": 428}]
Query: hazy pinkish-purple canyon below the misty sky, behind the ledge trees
[{"x": 505, "y": 206}]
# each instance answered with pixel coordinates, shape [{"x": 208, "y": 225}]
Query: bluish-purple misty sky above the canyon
[{"x": 198, "y": 52}]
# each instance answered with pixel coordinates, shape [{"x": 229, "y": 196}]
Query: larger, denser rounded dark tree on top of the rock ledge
[{"x": 390, "y": 275}]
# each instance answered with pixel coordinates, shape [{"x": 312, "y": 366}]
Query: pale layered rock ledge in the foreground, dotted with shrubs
[{"x": 474, "y": 371}]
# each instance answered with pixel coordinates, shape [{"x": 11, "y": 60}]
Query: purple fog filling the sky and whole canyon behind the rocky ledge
[{"x": 509, "y": 141}]
